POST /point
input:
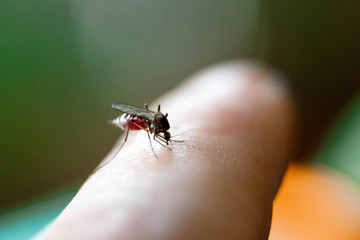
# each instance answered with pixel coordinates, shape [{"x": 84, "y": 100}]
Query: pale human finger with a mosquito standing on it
[{"x": 217, "y": 184}]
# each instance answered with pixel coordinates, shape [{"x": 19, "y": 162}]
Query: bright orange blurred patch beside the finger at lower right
[{"x": 314, "y": 203}]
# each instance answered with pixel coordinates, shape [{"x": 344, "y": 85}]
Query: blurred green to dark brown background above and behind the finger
[{"x": 63, "y": 63}]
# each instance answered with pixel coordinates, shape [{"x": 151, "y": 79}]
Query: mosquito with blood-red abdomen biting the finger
[{"x": 137, "y": 118}]
